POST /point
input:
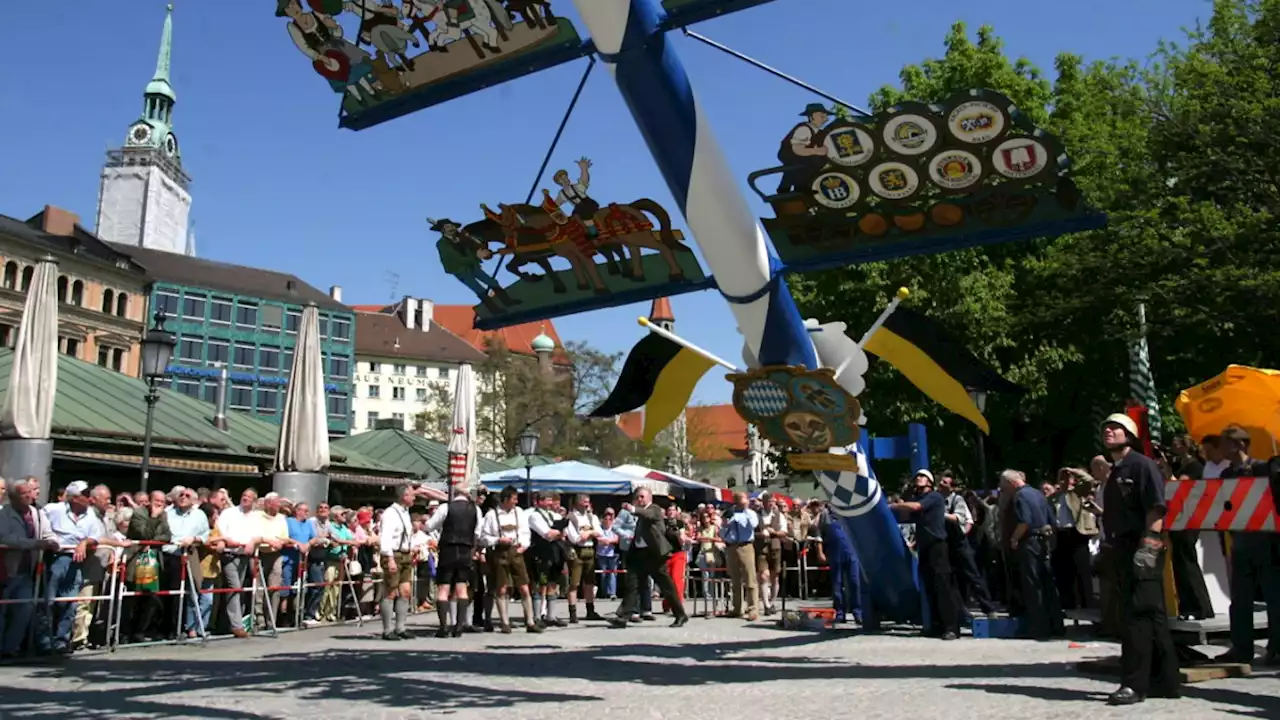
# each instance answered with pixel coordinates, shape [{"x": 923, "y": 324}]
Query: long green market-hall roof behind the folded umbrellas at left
[{"x": 102, "y": 411}]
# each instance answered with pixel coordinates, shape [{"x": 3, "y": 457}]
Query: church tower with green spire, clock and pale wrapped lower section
[{"x": 144, "y": 198}]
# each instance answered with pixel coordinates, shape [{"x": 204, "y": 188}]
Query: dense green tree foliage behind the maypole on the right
[{"x": 1181, "y": 152}]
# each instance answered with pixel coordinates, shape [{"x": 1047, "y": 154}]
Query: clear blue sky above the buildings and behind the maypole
[{"x": 277, "y": 185}]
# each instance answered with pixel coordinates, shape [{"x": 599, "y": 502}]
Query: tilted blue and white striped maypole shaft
[{"x": 629, "y": 37}]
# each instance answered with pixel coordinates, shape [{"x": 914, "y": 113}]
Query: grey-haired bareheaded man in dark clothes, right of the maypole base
[{"x": 1032, "y": 543}]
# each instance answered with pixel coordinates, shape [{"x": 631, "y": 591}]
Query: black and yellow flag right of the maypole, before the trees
[{"x": 935, "y": 361}]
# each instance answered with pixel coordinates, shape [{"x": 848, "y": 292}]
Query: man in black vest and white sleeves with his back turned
[{"x": 459, "y": 523}]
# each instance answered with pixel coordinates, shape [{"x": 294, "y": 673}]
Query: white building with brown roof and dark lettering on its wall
[{"x": 406, "y": 368}]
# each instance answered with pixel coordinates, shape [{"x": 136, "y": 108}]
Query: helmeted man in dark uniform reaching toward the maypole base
[{"x": 929, "y": 512}]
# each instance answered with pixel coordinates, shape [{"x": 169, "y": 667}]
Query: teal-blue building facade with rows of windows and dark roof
[{"x": 246, "y": 320}]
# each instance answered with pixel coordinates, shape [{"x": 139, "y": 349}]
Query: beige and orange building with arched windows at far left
[{"x": 102, "y": 293}]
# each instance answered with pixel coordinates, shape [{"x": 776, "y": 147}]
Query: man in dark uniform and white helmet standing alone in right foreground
[{"x": 1133, "y": 516}]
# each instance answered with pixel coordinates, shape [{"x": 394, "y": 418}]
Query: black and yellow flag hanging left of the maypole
[{"x": 660, "y": 376}]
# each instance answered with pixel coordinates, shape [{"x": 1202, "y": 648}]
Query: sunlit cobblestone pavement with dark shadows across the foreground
[{"x": 648, "y": 672}]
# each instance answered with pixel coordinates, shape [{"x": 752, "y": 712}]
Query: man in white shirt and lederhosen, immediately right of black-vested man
[{"x": 506, "y": 535}]
